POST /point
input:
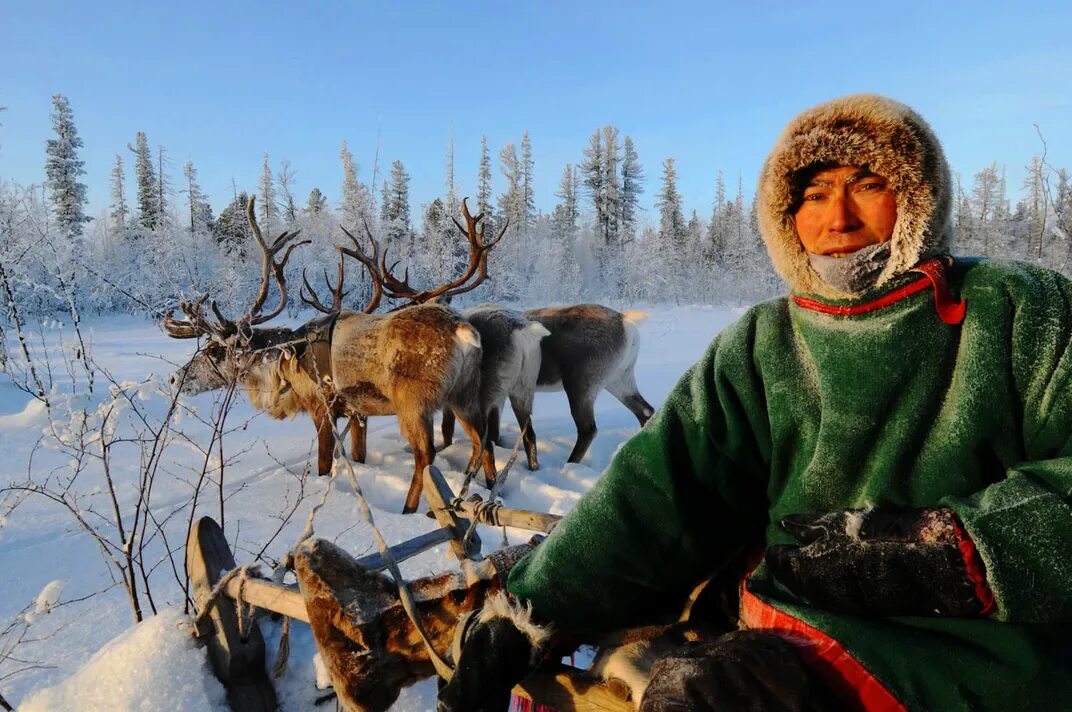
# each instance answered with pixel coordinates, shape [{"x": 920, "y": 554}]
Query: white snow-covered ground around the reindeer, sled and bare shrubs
[{"x": 79, "y": 649}]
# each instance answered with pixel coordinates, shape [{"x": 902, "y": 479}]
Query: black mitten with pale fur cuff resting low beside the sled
[{"x": 500, "y": 649}]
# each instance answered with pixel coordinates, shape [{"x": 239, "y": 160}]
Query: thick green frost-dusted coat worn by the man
[{"x": 793, "y": 410}]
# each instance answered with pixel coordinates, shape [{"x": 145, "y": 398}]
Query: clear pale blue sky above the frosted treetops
[{"x": 710, "y": 84}]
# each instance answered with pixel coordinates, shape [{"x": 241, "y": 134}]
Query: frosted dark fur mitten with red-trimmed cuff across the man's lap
[{"x": 883, "y": 562}]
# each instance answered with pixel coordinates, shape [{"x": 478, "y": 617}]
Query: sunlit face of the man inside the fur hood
[{"x": 845, "y": 210}]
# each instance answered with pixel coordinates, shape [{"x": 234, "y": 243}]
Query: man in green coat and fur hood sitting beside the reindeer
[{"x": 887, "y": 452}]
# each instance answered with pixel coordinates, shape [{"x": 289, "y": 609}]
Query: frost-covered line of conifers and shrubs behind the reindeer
[{"x": 167, "y": 242}]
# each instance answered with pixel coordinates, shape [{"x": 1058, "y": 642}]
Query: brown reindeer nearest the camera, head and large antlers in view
[{"x": 409, "y": 363}]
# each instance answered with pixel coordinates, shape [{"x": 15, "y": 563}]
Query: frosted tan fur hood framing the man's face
[{"x": 894, "y": 142}]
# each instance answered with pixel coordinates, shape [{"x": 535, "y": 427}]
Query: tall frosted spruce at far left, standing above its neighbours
[{"x": 63, "y": 170}]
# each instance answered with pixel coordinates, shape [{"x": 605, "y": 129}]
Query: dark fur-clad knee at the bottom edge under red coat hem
[{"x": 742, "y": 671}]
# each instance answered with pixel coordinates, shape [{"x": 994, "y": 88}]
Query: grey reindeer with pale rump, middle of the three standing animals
[{"x": 511, "y": 366}]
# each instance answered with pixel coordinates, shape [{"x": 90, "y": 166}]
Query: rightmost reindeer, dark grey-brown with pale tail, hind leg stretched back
[{"x": 591, "y": 348}]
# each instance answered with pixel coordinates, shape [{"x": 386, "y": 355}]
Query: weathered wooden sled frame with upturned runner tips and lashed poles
[{"x": 239, "y": 657}]
